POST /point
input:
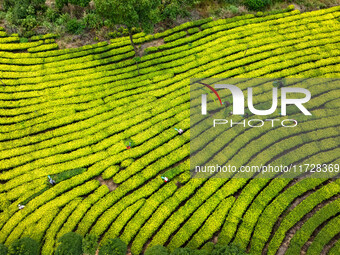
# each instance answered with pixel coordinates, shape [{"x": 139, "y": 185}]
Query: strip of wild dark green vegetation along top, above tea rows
[{"x": 114, "y": 18}]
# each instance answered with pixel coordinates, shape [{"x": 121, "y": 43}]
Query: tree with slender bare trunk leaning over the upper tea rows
[{"x": 131, "y": 13}]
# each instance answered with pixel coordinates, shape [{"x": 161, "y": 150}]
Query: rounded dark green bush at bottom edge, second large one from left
[{"x": 70, "y": 243}]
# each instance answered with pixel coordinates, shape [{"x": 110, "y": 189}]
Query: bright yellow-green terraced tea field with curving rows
[{"x": 103, "y": 129}]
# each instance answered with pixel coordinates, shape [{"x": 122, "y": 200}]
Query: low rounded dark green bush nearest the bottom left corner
[{"x": 24, "y": 246}]
